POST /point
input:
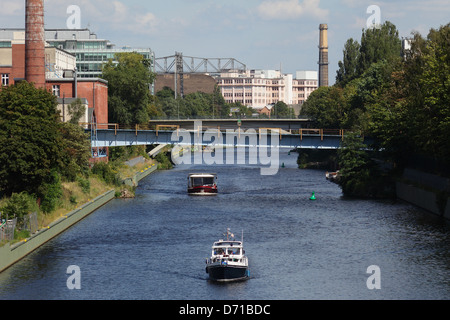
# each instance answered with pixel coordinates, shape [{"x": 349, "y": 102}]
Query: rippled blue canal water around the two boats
[{"x": 155, "y": 246}]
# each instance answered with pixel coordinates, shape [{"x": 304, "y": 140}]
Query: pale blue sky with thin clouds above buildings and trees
[{"x": 262, "y": 34}]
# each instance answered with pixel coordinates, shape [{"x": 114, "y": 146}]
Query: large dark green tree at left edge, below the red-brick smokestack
[{"x": 29, "y": 138}]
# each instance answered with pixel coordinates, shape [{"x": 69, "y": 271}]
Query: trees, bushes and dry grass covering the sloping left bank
[{"x": 44, "y": 162}]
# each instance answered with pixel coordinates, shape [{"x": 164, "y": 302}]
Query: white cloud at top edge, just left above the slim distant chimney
[{"x": 291, "y": 9}]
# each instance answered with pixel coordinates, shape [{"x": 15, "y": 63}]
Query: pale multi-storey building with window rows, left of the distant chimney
[{"x": 260, "y": 88}]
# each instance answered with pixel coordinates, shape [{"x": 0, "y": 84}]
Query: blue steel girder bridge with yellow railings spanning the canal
[{"x": 229, "y": 138}]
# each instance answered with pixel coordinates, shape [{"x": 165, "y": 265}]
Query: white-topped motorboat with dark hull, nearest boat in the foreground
[{"x": 228, "y": 261}]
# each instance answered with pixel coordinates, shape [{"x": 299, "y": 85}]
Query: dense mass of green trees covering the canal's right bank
[{"x": 398, "y": 98}]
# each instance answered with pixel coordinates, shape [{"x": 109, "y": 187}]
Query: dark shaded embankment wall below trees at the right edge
[{"x": 422, "y": 189}]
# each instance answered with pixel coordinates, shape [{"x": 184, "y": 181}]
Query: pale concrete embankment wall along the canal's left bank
[{"x": 10, "y": 254}]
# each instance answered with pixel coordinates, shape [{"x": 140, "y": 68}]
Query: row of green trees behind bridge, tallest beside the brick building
[{"x": 130, "y": 100}]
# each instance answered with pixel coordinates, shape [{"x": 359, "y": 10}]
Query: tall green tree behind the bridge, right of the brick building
[{"x": 129, "y": 81}]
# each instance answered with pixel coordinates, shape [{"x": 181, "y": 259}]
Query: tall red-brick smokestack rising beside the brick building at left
[{"x": 35, "y": 42}]
